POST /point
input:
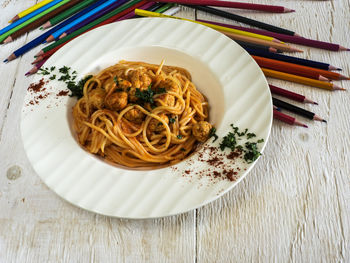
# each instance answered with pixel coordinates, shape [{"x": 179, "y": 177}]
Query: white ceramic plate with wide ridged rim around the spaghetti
[{"x": 234, "y": 85}]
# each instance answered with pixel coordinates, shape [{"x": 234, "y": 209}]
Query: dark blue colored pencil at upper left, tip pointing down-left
[{"x": 41, "y": 39}]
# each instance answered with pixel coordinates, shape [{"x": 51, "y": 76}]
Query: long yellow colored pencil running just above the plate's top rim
[{"x": 141, "y": 12}]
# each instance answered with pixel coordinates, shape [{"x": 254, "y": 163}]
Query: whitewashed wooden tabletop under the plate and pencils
[{"x": 292, "y": 207}]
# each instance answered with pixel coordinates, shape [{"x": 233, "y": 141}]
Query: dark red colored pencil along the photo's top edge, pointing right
[{"x": 239, "y": 5}]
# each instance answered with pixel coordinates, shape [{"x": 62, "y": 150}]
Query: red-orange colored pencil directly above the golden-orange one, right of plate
[{"x": 297, "y": 69}]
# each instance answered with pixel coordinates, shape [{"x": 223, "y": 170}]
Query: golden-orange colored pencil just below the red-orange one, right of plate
[{"x": 301, "y": 80}]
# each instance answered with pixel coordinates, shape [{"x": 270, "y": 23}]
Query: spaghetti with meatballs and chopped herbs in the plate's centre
[{"x": 141, "y": 115}]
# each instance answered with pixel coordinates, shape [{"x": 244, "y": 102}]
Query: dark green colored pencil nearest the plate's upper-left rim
[{"x": 88, "y": 26}]
